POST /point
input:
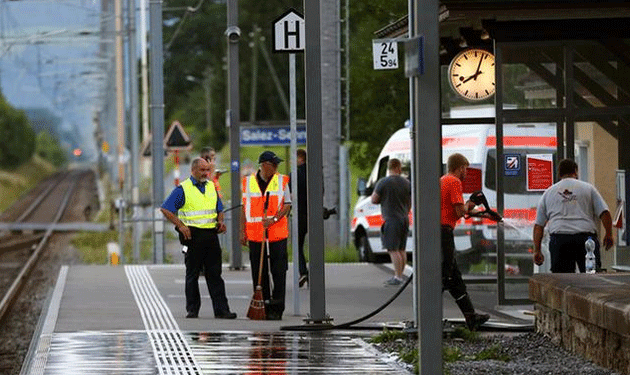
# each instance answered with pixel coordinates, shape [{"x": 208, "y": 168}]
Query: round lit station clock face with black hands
[{"x": 471, "y": 74}]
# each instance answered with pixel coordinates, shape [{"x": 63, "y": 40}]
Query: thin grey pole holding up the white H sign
[{"x": 294, "y": 187}]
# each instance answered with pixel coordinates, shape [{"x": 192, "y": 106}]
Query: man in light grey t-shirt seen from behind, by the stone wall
[{"x": 570, "y": 208}]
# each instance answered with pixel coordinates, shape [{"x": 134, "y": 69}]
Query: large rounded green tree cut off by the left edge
[{"x": 16, "y": 135}]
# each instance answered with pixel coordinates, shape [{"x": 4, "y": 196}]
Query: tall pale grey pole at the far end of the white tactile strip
[{"x": 133, "y": 95}]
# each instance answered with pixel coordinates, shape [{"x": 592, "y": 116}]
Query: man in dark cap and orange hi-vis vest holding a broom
[{"x": 267, "y": 185}]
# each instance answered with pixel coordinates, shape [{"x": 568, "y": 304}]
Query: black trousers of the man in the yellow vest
[{"x": 204, "y": 251}]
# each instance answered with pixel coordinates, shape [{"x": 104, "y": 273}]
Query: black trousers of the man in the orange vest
[{"x": 276, "y": 260}]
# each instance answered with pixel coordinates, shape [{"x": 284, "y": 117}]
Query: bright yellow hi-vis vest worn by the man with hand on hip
[{"x": 199, "y": 210}]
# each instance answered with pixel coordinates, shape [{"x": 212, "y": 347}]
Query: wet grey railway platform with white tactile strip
[{"x": 131, "y": 320}]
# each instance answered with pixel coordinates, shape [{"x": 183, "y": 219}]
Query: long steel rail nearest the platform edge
[{"x": 21, "y": 278}]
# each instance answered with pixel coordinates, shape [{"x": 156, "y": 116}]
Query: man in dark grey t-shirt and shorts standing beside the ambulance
[{"x": 394, "y": 194}]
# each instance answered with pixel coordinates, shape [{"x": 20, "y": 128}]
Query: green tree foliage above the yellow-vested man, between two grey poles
[{"x": 194, "y": 44}]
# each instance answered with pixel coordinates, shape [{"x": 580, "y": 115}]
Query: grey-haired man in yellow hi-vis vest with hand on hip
[{"x": 195, "y": 209}]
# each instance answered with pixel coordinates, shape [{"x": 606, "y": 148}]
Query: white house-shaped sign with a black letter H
[{"x": 289, "y": 34}]
